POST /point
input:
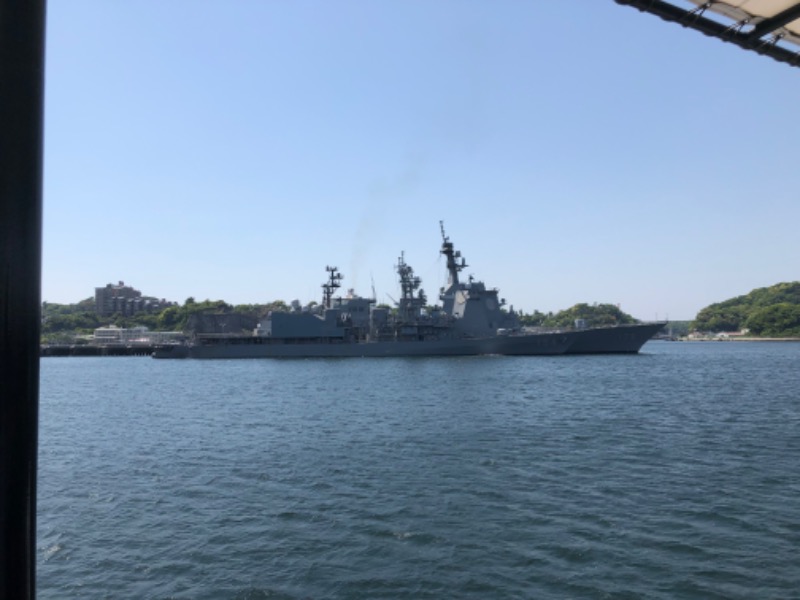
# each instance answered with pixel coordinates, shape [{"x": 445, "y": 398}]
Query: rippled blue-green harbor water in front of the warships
[{"x": 671, "y": 474}]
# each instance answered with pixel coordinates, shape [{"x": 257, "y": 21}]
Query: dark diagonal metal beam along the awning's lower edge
[{"x": 726, "y": 33}]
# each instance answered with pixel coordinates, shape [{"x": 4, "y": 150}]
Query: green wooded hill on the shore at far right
[{"x": 769, "y": 312}]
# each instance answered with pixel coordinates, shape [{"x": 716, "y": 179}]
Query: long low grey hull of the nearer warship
[{"x": 251, "y": 347}]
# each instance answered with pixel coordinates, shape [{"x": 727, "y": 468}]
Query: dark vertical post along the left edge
[{"x": 22, "y": 24}]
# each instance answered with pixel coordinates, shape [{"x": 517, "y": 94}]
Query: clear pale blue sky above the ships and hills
[{"x": 577, "y": 152}]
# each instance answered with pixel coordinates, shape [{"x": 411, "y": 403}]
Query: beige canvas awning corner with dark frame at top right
[{"x": 768, "y": 27}]
